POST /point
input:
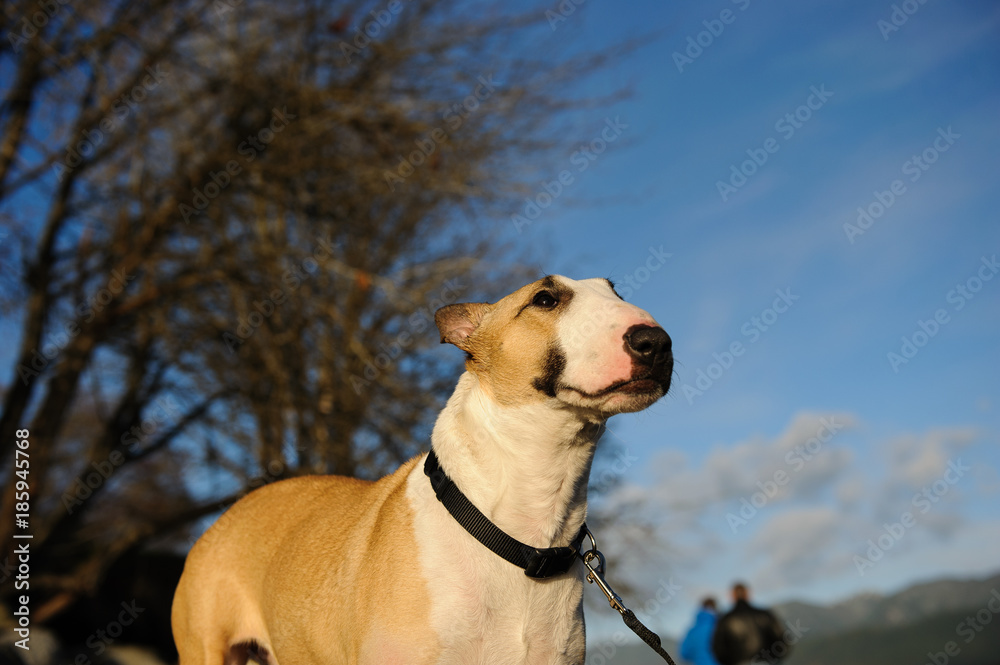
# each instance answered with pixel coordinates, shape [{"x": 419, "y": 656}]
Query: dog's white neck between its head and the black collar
[{"x": 526, "y": 468}]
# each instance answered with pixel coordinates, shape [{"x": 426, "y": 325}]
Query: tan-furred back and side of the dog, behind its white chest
[{"x": 321, "y": 561}]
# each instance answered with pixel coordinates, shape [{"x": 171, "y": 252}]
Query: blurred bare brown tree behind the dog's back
[{"x": 228, "y": 226}]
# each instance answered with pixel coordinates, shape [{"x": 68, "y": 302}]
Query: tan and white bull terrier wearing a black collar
[{"x": 333, "y": 570}]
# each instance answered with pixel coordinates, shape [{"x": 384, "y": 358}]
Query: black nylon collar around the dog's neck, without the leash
[{"x": 536, "y": 562}]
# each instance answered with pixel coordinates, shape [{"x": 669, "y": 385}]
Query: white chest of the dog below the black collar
[{"x": 483, "y": 610}]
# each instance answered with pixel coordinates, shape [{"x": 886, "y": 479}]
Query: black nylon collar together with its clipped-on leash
[{"x": 537, "y": 562}]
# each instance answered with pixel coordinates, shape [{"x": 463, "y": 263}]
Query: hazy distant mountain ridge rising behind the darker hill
[{"x": 869, "y": 611}]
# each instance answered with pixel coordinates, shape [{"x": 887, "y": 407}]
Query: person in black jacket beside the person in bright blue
[{"x": 747, "y": 633}]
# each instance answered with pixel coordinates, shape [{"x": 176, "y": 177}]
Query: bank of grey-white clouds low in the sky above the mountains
[{"x": 805, "y": 536}]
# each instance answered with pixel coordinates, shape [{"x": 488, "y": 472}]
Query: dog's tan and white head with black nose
[{"x": 573, "y": 341}]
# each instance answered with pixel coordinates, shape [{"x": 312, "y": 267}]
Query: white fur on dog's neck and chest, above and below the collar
[{"x": 526, "y": 469}]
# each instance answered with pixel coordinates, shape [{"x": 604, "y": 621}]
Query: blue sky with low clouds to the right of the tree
[{"x": 853, "y": 296}]
